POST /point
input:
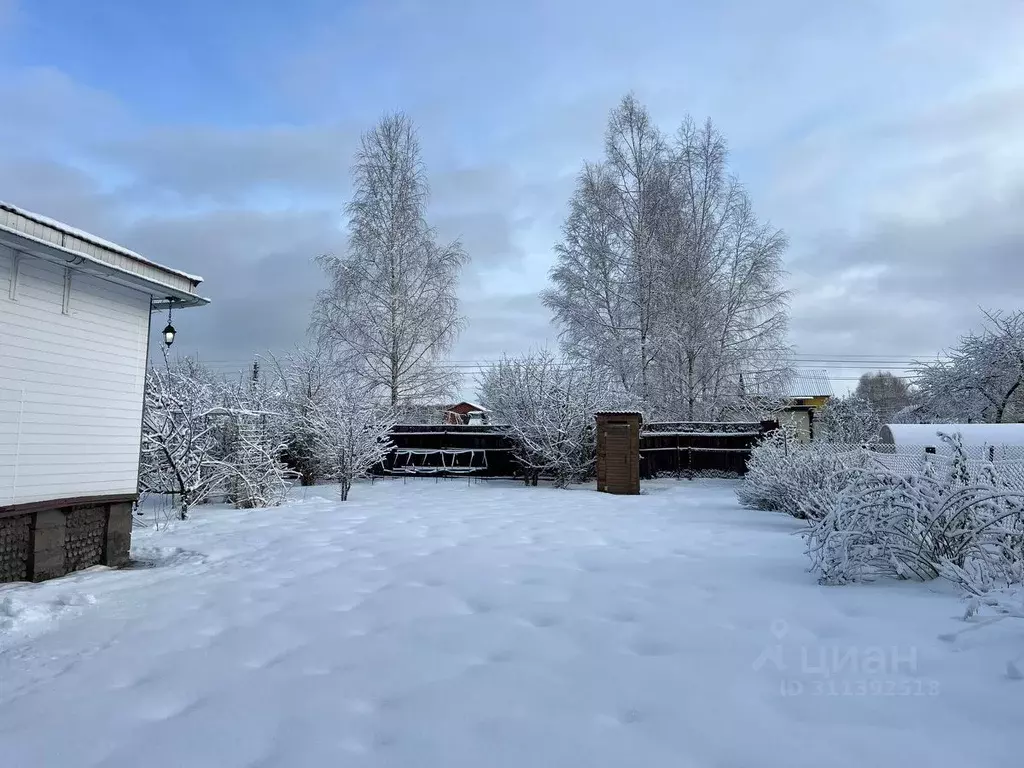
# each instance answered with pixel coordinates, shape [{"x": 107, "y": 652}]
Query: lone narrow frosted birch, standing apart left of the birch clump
[{"x": 391, "y": 314}]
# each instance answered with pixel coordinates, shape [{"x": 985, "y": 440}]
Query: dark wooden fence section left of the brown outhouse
[{"x": 450, "y": 450}]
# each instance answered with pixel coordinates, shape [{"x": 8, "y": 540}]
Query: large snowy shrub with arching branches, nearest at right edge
[{"x": 961, "y": 522}]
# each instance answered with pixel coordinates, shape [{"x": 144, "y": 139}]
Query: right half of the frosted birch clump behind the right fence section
[{"x": 726, "y": 313}]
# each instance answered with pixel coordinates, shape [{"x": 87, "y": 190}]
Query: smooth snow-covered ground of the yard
[{"x": 449, "y": 624}]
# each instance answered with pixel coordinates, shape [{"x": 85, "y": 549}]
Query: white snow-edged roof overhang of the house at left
[{"x": 47, "y": 238}]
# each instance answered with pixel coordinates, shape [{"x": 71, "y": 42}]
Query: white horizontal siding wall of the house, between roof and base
[{"x": 71, "y": 386}]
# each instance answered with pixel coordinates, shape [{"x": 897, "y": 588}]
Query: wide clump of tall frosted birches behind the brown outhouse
[{"x": 665, "y": 278}]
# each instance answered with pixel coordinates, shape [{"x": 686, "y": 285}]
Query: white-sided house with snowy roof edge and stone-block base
[{"x": 74, "y": 344}]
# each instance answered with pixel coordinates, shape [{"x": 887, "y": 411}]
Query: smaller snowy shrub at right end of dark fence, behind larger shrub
[{"x": 784, "y": 476}]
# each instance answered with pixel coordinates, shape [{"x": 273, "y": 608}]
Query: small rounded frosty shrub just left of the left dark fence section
[{"x": 351, "y": 433}]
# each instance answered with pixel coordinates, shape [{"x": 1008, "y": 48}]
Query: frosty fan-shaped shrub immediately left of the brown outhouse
[{"x": 547, "y": 409}]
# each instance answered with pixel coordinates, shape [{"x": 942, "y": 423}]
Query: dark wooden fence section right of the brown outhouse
[{"x": 692, "y": 448}]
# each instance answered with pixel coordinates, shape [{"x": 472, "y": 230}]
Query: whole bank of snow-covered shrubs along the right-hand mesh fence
[{"x": 871, "y": 518}]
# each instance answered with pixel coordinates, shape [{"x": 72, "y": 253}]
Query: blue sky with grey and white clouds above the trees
[{"x": 885, "y": 137}]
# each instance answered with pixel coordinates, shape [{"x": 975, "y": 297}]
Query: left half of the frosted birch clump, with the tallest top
[{"x": 607, "y": 288}]
